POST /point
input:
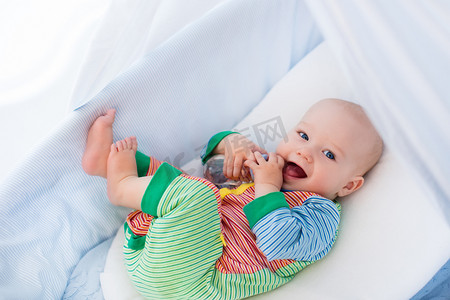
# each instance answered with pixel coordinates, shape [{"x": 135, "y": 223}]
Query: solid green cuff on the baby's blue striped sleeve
[{"x": 261, "y": 206}]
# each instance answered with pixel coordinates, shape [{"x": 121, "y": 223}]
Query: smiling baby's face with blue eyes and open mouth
[{"x": 322, "y": 152}]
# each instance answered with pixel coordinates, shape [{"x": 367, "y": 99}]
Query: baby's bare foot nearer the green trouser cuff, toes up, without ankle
[{"x": 121, "y": 167}]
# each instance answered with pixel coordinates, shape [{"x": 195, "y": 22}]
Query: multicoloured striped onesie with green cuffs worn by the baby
[{"x": 194, "y": 241}]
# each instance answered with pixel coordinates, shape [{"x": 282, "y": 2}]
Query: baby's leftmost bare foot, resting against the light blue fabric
[{"x": 100, "y": 138}]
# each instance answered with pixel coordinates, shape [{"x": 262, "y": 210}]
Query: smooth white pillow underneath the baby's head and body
[{"x": 390, "y": 242}]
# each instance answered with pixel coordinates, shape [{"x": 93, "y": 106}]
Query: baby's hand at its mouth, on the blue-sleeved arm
[{"x": 268, "y": 175}]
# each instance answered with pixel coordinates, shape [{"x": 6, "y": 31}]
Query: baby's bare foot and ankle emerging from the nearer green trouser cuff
[{"x": 124, "y": 186}]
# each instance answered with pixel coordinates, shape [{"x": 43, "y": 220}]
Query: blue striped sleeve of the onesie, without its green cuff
[{"x": 306, "y": 232}]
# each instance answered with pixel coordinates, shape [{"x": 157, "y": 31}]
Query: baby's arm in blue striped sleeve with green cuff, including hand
[{"x": 304, "y": 232}]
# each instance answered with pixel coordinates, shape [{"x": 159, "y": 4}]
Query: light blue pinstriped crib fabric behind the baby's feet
[{"x": 203, "y": 80}]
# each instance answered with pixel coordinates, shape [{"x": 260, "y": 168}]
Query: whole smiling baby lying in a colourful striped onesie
[{"x": 188, "y": 239}]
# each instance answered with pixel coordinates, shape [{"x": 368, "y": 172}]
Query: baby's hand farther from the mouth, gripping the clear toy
[{"x": 237, "y": 149}]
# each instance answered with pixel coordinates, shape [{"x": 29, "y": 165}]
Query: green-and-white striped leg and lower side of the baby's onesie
[{"x": 182, "y": 247}]
